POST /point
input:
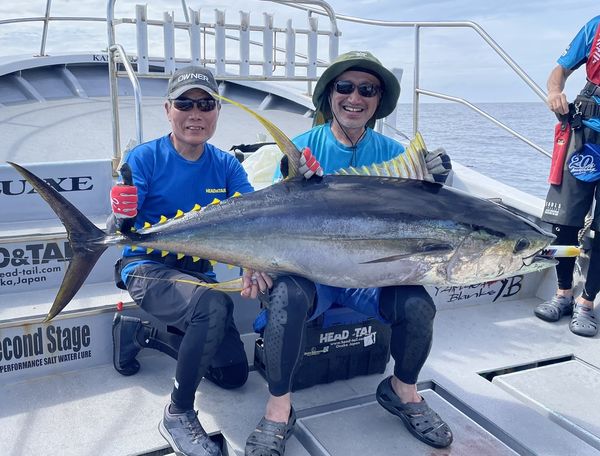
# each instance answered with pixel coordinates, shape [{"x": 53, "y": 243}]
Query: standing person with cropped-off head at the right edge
[{"x": 568, "y": 203}]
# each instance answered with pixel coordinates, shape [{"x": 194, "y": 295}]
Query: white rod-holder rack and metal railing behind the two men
[{"x": 199, "y": 33}]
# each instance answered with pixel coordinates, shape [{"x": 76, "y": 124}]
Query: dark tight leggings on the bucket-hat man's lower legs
[{"x": 409, "y": 310}]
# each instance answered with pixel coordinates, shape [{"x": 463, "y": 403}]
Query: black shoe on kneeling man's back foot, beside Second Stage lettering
[{"x": 125, "y": 344}]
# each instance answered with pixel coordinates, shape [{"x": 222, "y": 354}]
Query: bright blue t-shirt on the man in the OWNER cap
[{"x": 167, "y": 182}]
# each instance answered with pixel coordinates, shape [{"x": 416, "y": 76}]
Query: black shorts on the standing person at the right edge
[{"x": 569, "y": 203}]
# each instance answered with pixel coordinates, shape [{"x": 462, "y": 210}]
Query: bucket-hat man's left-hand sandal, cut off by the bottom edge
[{"x": 269, "y": 437}]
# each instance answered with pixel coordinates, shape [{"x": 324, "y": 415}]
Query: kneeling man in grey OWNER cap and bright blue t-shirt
[{"x": 175, "y": 173}]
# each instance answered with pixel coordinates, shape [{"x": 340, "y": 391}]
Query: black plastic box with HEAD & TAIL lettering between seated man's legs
[{"x": 341, "y": 344}]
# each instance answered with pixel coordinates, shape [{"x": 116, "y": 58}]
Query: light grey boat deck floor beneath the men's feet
[{"x": 548, "y": 409}]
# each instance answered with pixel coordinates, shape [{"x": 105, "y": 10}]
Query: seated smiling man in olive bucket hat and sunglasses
[{"x": 352, "y": 93}]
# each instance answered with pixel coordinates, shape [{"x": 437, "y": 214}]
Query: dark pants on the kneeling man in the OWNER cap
[{"x": 204, "y": 318}]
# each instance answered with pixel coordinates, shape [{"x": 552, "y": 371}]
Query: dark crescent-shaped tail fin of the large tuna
[{"x": 86, "y": 239}]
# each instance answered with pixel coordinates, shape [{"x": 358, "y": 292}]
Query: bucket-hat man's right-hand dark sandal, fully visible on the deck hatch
[{"x": 418, "y": 417}]
